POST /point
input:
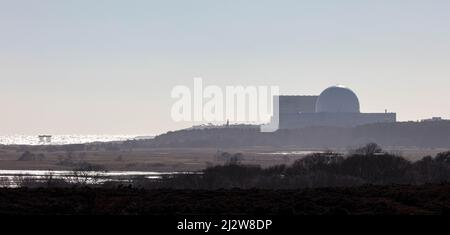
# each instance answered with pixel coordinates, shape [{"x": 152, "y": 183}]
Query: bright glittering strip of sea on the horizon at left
[{"x": 66, "y": 139}]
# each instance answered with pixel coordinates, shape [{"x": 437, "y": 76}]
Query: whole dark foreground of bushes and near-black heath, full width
[{"x": 367, "y": 181}]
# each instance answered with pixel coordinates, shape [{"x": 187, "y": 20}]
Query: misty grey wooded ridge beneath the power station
[{"x": 401, "y": 134}]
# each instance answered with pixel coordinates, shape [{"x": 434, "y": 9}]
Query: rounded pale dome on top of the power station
[{"x": 337, "y": 99}]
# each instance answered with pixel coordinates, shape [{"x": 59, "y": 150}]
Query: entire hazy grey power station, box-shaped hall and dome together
[{"x": 336, "y": 106}]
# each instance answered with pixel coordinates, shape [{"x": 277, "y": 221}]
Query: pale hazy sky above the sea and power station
[{"x": 108, "y": 66}]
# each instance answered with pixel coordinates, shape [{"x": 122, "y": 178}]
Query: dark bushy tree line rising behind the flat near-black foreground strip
[{"x": 368, "y": 165}]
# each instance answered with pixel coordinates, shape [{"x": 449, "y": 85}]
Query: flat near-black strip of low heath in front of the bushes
[{"x": 364, "y": 200}]
